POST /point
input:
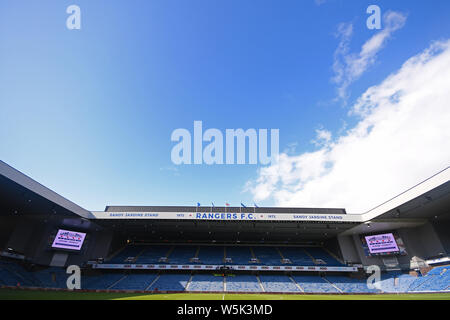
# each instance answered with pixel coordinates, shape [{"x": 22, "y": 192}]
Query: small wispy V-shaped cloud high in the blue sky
[{"x": 348, "y": 67}]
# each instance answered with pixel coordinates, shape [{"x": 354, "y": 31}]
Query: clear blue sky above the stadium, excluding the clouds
[{"x": 89, "y": 113}]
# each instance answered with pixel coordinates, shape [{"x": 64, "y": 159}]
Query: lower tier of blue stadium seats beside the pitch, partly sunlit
[{"x": 12, "y": 274}]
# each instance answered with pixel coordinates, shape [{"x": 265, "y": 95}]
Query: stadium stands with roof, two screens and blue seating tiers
[{"x": 206, "y": 248}]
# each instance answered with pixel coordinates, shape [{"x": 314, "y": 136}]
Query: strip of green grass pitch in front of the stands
[{"x": 11, "y": 294}]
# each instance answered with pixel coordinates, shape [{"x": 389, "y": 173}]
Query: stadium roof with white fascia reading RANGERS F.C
[{"x": 429, "y": 199}]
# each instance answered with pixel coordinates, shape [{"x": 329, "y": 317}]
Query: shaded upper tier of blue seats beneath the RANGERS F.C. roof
[{"x": 240, "y": 255}]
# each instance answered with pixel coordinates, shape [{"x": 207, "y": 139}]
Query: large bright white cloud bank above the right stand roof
[{"x": 402, "y": 138}]
